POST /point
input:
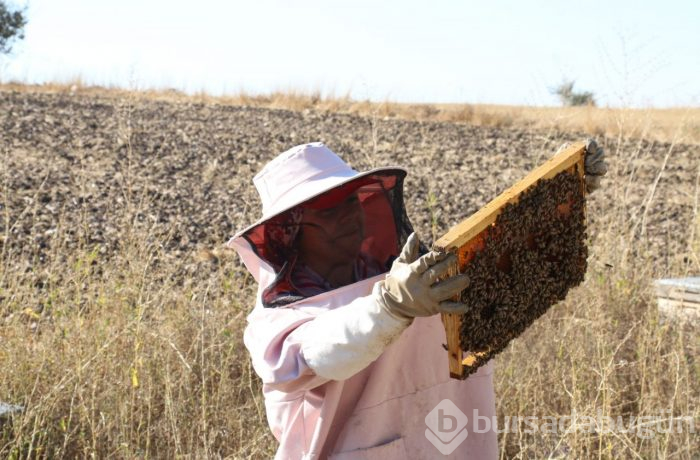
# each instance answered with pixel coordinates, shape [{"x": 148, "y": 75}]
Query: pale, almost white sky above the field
[{"x": 628, "y": 53}]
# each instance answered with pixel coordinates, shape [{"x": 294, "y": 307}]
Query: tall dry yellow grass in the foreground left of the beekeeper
[{"x": 115, "y": 359}]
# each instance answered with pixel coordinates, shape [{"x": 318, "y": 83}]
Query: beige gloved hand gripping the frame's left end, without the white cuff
[{"x": 412, "y": 289}]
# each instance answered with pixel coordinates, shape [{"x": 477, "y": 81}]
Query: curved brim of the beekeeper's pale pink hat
[{"x": 319, "y": 188}]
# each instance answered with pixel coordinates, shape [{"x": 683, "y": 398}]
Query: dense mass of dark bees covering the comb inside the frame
[{"x": 528, "y": 260}]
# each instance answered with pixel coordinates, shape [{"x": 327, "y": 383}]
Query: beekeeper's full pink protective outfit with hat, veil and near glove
[{"x": 351, "y": 372}]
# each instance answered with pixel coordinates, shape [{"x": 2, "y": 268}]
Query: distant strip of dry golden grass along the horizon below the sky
[{"x": 680, "y": 125}]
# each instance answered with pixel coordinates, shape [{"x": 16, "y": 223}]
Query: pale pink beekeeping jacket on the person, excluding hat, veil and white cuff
[{"x": 379, "y": 413}]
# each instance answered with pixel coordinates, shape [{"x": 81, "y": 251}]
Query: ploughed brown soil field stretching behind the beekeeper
[{"x": 84, "y": 171}]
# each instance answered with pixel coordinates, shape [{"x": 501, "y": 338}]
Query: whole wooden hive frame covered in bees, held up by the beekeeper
[{"x": 499, "y": 315}]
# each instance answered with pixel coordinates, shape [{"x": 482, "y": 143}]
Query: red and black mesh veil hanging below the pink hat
[{"x": 386, "y": 229}]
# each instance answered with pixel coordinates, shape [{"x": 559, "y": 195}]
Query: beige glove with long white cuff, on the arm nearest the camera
[{"x": 340, "y": 343}]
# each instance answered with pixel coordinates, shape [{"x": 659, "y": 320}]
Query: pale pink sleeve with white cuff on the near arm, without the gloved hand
[{"x": 295, "y": 350}]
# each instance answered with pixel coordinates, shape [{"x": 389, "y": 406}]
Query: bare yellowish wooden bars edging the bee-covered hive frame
[{"x": 470, "y": 232}]
